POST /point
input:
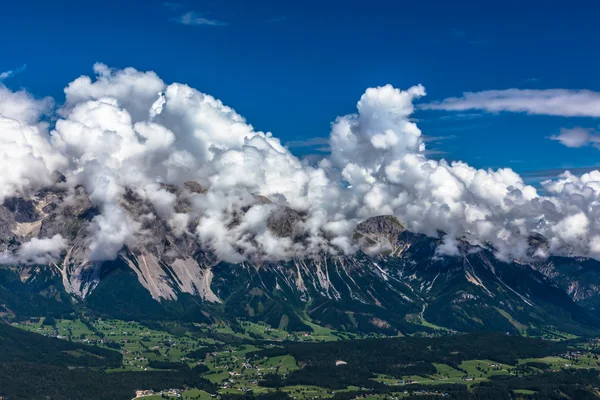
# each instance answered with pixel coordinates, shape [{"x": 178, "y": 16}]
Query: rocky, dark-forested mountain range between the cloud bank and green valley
[{"x": 396, "y": 284}]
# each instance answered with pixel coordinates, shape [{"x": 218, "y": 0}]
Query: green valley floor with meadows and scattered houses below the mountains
[{"x": 252, "y": 360}]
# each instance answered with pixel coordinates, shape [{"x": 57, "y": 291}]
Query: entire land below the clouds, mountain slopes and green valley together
[{"x": 172, "y": 321}]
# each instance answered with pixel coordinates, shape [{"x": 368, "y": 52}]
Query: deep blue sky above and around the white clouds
[{"x": 292, "y": 67}]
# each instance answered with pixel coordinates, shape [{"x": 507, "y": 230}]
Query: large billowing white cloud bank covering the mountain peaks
[{"x": 124, "y": 132}]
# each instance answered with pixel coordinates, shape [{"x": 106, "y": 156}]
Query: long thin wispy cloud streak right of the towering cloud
[{"x": 558, "y": 102}]
